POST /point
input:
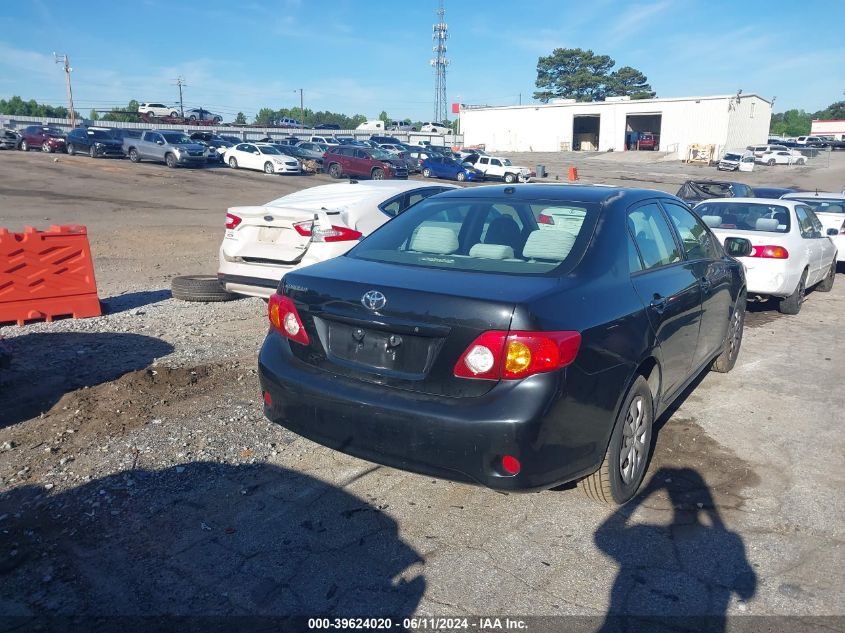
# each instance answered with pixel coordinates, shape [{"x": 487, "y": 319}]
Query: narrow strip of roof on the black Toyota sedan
[{"x": 599, "y": 194}]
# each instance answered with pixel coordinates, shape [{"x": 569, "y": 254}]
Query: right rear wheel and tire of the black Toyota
[{"x": 607, "y": 485}]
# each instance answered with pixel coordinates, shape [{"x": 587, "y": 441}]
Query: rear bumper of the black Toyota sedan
[{"x": 463, "y": 439}]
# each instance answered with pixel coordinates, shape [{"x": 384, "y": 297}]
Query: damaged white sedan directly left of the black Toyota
[{"x": 264, "y": 242}]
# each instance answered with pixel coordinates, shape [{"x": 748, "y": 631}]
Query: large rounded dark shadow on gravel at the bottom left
[{"x": 220, "y": 541}]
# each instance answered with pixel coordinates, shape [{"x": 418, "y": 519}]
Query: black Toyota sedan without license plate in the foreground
[{"x": 518, "y": 337}]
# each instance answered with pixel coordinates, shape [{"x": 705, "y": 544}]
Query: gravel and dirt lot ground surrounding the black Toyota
[{"x": 139, "y": 477}]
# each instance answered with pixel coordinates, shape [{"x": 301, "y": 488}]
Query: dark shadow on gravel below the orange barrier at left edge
[{"x": 45, "y": 366}]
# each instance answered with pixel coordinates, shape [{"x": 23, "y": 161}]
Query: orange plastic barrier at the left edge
[{"x": 46, "y": 274}]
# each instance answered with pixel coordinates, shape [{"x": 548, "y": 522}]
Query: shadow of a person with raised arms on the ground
[{"x": 679, "y": 563}]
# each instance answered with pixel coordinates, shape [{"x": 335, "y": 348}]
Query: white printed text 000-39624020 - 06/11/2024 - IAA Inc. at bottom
[{"x": 481, "y": 624}]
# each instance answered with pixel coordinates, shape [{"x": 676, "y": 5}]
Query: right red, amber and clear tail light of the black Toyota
[{"x": 516, "y": 354}]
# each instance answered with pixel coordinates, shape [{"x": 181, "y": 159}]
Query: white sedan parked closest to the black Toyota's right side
[{"x": 791, "y": 250}]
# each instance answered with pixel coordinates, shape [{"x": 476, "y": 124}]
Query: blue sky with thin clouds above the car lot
[{"x": 357, "y": 56}]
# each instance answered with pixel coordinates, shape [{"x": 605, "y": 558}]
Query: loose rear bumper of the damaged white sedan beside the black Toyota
[{"x": 260, "y": 279}]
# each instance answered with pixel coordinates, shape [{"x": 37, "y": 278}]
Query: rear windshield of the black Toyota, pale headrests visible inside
[{"x": 485, "y": 235}]
